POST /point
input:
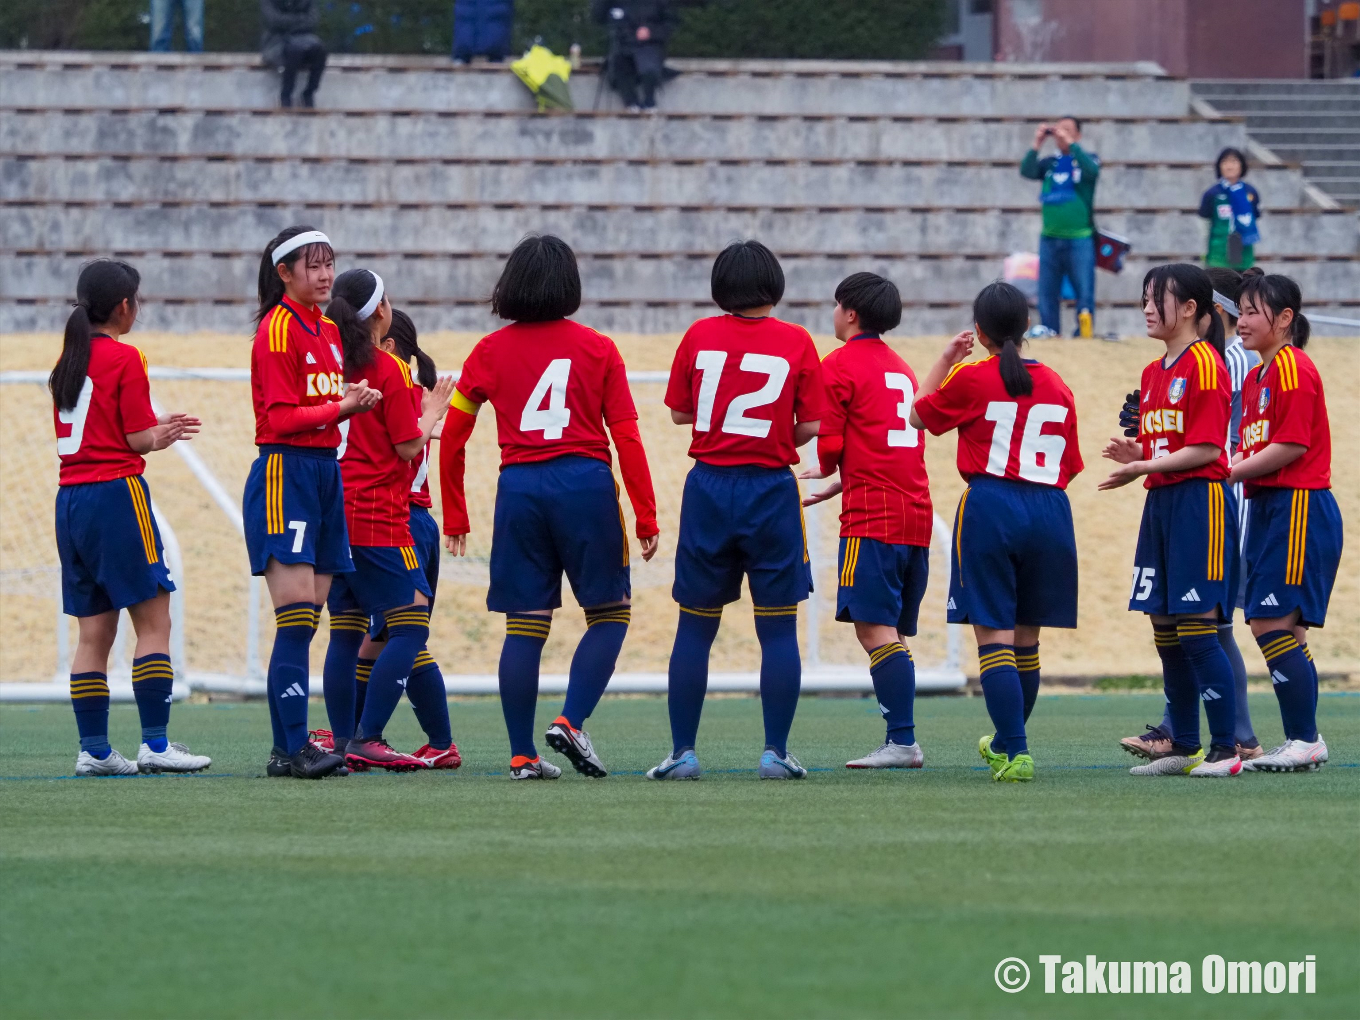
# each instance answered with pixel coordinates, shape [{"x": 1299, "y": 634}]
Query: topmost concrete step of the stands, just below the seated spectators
[{"x": 705, "y": 86}]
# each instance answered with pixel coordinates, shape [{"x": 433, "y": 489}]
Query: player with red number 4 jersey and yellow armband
[{"x": 556, "y": 387}]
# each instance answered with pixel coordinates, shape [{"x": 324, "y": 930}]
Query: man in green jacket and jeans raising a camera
[{"x": 1067, "y": 243}]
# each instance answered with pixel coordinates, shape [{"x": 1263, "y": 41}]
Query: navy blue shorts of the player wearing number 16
[{"x": 1015, "y": 557}]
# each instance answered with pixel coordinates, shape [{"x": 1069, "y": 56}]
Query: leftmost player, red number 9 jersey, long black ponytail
[{"x": 108, "y": 541}]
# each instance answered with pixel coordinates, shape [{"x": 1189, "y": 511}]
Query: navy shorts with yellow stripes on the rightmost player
[{"x": 1294, "y": 550}]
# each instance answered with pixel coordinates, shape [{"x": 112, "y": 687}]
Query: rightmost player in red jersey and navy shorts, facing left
[{"x": 1294, "y": 532}]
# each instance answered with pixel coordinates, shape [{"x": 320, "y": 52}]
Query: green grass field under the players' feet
[{"x": 847, "y": 896}]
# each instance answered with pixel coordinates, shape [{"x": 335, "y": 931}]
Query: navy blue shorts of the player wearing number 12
[{"x": 742, "y": 520}]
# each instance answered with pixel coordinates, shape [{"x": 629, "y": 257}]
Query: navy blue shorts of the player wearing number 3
[{"x": 882, "y": 584}]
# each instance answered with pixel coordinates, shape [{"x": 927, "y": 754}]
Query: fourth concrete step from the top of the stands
[{"x": 607, "y": 228}]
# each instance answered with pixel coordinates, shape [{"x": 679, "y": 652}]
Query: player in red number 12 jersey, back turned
[{"x": 751, "y": 387}]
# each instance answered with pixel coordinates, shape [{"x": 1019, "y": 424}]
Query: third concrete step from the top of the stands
[{"x": 135, "y": 177}]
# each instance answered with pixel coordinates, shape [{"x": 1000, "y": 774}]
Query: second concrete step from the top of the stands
[{"x": 413, "y": 134}]
